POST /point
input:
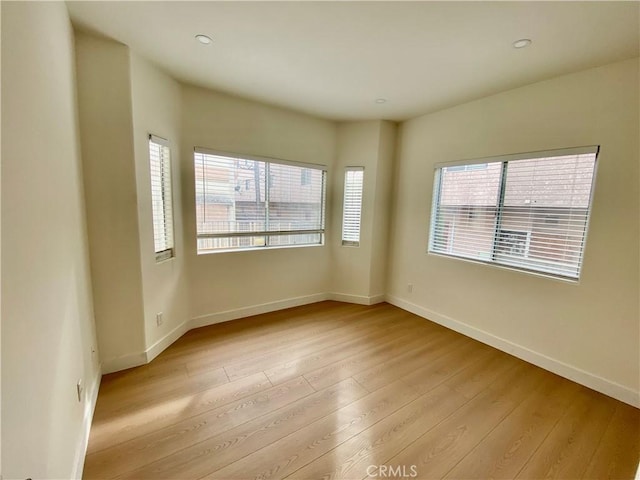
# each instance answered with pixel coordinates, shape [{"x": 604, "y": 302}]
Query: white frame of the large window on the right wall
[{"x": 544, "y": 268}]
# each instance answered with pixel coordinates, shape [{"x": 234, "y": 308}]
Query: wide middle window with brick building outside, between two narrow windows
[{"x": 252, "y": 202}]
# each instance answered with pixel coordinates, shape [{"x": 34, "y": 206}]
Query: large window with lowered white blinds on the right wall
[{"x": 526, "y": 211}]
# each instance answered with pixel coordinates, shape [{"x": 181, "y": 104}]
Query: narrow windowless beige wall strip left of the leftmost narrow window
[{"x": 106, "y": 126}]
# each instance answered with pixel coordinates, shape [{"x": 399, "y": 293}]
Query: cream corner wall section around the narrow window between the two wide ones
[{"x": 358, "y": 273}]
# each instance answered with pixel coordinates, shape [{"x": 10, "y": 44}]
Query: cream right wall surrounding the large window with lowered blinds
[{"x": 590, "y": 330}]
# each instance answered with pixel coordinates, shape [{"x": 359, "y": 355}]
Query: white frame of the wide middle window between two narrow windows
[{"x": 267, "y": 233}]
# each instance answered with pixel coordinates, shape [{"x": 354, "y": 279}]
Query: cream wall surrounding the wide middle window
[{"x": 227, "y": 282}]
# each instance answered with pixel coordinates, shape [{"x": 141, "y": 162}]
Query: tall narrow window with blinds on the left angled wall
[{"x": 160, "y": 169}]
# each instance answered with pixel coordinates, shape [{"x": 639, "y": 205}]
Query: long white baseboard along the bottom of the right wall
[{"x": 565, "y": 370}]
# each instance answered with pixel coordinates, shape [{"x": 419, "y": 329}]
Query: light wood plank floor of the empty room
[{"x": 334, "y": 390}]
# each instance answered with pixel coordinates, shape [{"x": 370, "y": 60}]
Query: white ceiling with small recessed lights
[{"x": 333, "y": 59}]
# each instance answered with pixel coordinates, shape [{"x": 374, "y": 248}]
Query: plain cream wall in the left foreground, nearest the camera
[{"x": 48, "y": 329}]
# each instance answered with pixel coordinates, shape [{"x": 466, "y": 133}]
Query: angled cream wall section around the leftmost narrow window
[{"x": 156, "y": 101}]
